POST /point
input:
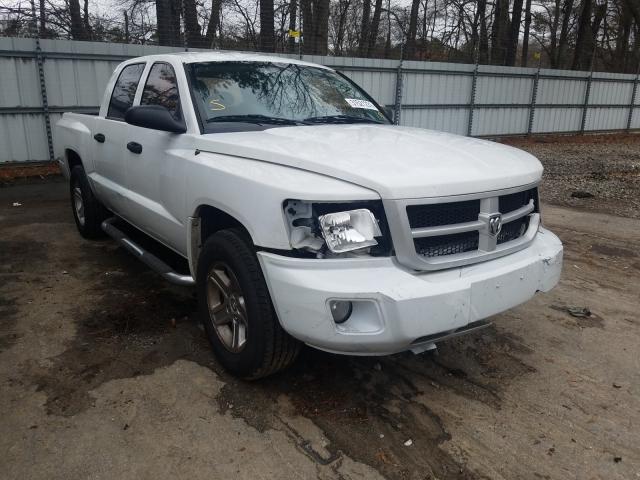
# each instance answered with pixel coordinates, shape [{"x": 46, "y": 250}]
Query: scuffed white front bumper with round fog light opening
[{"x": 395, "y": 309}]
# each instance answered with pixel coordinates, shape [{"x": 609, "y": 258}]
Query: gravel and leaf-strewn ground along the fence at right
[{"x": 604, "y": 166}]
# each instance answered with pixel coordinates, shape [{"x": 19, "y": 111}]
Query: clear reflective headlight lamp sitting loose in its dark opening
[{"x": 351, "y": 230}]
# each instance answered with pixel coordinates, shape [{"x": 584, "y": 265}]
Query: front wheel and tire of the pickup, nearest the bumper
[{"x": 251, "y": 344}]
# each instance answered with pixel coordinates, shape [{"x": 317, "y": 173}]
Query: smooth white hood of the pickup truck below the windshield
[{"x": 397, "y": 162}]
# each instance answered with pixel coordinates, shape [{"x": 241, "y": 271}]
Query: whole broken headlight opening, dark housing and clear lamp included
[{"x": 331, "y": 229}]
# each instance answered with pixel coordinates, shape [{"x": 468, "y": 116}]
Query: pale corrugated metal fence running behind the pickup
[{"x": 41, "y": 79}]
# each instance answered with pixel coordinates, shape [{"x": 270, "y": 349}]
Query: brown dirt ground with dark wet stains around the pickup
[{"x": 105, "y": 373}]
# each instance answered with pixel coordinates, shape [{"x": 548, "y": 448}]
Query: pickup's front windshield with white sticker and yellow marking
[{"x": 277, "y": 94}]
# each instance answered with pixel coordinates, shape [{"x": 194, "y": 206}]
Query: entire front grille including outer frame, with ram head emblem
[{"x": 443, "y": 232}]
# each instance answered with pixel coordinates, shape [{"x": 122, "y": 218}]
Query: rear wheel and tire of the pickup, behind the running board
[{"x": 89, "y": 213}]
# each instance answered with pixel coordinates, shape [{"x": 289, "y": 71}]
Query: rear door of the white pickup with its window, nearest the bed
[{"x": 109, "y": 136}]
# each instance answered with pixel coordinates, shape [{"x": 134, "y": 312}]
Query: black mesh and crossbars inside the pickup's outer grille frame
[{"x": 435, "y": 228}]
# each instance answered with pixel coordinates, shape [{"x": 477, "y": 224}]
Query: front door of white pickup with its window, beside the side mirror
[{"x": 155, "y": 168}]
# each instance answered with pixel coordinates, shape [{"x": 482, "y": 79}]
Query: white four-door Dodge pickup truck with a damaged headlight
[{"x": 305, "y": 216}]
